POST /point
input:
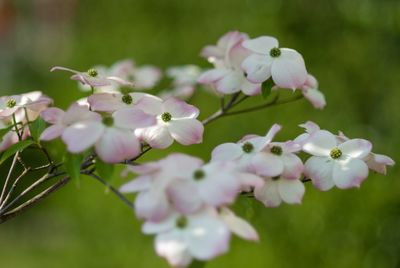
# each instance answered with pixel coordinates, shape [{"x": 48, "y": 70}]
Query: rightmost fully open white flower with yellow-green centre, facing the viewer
[{"x": 334, "y": 163}]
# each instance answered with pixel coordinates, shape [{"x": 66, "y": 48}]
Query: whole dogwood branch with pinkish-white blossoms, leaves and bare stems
[{"x": 183, "y": 200}]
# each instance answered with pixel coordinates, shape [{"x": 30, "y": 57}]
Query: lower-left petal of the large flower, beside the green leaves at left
[{"x": 81, "y": 136}]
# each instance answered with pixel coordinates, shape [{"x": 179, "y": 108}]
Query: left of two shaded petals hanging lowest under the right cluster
[{"x": 268, "y": 194}]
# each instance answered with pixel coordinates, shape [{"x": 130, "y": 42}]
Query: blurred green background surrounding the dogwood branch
[{"x": 352, "y": 47}]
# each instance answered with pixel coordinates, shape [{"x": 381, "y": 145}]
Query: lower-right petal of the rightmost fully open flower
[{"x": 350, "y": 172}]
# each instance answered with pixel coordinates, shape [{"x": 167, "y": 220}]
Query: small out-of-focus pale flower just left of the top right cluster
[{"x": 184, "y": 79}]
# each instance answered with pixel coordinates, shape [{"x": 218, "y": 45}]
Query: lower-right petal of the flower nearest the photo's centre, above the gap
[{"x": 186, "y": 131}]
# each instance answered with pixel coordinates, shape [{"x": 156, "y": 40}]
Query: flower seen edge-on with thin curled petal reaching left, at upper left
[{"x": 93, "y": 78}]
